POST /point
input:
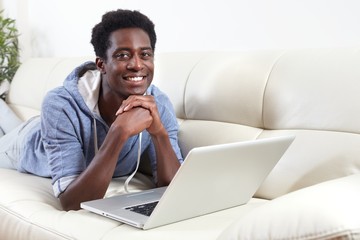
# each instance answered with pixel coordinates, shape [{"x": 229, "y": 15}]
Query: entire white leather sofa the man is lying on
[{"x": 312, "y": 193}]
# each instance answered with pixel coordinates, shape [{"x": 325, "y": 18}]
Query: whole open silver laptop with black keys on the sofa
[{"x": 212, "y": 178}]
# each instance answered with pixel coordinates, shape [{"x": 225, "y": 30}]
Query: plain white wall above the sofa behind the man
[{"x": 63, "y": 27}]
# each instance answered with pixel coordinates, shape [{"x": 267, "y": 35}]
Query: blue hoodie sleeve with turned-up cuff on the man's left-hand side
[{"x": 62, "y": 134}]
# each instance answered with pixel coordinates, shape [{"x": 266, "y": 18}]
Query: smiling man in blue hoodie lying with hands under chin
[{"x": 92, "y": 127}]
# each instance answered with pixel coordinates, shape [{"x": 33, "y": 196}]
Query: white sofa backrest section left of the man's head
[{"x": 30, "y": 84}]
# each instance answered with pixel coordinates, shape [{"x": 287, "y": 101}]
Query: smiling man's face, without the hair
[{"x": 129, "y": 67}]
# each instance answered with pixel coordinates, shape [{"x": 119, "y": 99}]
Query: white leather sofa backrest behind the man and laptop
[{"x": 235, "y": 96}]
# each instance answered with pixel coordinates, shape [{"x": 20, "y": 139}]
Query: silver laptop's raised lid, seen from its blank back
[{"x": 217, "y": 177}]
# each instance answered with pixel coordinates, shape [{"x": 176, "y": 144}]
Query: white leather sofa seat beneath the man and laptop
[{"x": 29, "y": 210}]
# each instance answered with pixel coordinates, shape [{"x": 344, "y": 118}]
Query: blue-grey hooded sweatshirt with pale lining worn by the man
[{"x": 71, "y": 130}]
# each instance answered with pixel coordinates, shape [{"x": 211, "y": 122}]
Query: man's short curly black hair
[{"x": 119, "y": 19}]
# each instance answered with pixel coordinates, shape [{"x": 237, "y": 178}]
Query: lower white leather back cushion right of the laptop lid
[{"x": 314, "y": 157}]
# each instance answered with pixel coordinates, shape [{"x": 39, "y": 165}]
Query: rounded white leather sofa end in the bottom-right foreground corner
[{"x": 329, "y": 210}]
